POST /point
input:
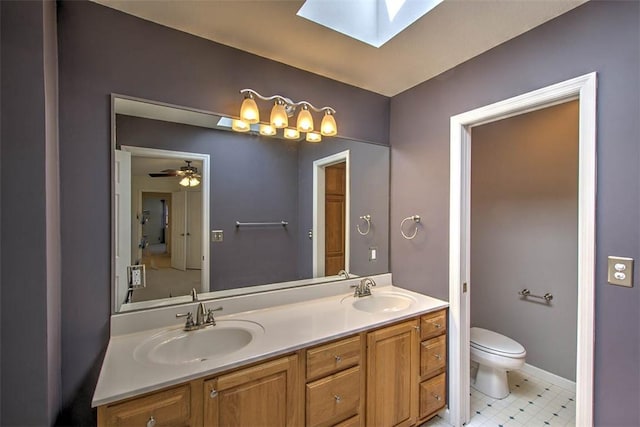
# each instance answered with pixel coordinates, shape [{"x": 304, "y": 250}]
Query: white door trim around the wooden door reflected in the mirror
[{"x": 318, "y": 210}]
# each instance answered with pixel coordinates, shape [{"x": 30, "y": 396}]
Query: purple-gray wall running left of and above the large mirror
[{"x": 103, "y": 51}]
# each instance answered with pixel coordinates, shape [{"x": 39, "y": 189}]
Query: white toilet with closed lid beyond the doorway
[{"x": 495, "y": 355}]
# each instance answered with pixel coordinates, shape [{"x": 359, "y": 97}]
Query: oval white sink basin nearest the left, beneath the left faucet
[{"x": 176, "y": 347}]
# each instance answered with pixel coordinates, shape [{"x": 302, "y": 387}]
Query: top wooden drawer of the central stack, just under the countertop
[{"x": 330, "y": 358}]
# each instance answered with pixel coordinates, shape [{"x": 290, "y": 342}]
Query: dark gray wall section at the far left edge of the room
[{"x": 30, "y": 335}]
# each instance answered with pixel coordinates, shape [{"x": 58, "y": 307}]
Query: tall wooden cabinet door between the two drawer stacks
[{"x": 392, "y": 374}]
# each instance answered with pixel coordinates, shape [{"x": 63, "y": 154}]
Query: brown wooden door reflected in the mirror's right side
[{"x": 335, "y": 197}]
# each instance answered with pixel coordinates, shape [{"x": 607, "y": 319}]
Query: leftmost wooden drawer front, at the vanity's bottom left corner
[{"x": 169, "y": 407}]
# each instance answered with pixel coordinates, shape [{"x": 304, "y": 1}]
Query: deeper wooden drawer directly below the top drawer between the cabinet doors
[{"x": 334, "y": 398}]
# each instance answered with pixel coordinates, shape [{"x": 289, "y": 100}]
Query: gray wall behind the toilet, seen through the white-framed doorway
[{"x": 524, "y": 232}]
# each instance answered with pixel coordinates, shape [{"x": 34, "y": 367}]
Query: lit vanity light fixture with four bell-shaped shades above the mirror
[{"x": 282, "y": 109}]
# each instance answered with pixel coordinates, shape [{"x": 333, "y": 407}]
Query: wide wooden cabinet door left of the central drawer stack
[{"x": 264, "y": 395}]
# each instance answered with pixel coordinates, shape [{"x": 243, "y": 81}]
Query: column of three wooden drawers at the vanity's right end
[{"x": 433, "y": 363}]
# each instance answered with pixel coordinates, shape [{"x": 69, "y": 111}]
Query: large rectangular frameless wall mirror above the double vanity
[{"x": 225, "y": 213}]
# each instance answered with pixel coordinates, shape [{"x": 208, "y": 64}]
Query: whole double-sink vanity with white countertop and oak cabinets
[{"x": 316, "y": 355}]
